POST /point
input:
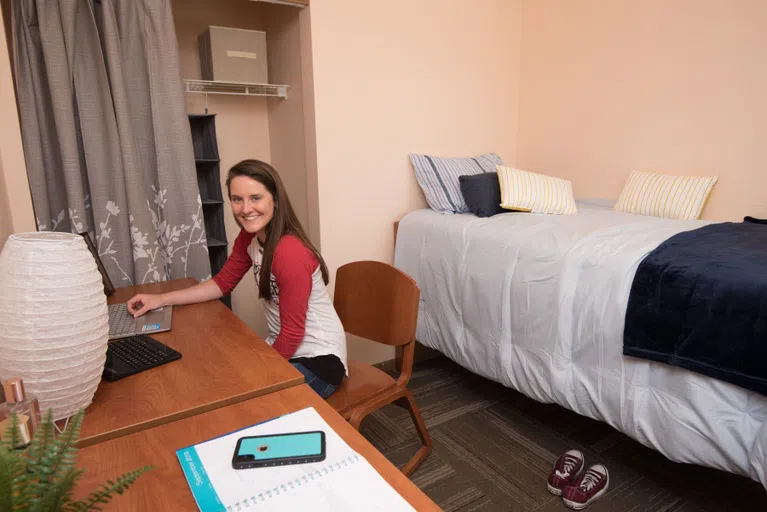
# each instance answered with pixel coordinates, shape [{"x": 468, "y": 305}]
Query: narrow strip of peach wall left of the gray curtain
[{"x": 16, "y": 212}]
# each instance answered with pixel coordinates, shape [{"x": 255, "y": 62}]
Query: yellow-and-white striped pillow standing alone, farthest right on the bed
[{"x": 663, "y": 195}]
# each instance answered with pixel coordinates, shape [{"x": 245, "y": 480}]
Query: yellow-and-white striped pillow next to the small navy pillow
[{"x": 531, "y": 192}]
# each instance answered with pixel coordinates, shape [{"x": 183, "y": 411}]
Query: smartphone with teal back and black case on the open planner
[{"x": 279, "y": 449}]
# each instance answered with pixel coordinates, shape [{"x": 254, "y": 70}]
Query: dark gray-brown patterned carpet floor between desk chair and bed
[{"x": 494, "y": 449}]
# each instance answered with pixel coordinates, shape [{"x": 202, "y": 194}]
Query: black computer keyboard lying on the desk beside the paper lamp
[{"x": 136, "y": 354}]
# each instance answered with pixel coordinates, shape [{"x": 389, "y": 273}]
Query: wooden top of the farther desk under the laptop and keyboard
[{"x": 222, "y": 362}]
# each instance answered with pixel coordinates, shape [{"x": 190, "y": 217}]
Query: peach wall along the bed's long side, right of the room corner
[{"x": 675, "y": 86}]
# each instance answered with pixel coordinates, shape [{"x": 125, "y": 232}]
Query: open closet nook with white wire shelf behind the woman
[{"x": 271, "y": 122}]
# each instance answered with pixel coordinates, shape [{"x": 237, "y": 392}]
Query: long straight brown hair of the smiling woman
[{"x": 284, "y": 220}]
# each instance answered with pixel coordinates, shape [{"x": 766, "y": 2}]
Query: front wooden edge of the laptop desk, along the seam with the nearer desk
[{"x": 179, "y": 415}]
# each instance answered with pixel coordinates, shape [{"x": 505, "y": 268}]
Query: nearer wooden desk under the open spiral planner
[{"x": 165, "y": 488}]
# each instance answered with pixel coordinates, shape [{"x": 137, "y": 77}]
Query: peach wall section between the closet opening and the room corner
[{"x": 400, "y": 76}]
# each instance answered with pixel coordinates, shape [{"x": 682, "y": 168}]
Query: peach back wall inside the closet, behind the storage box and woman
[{"x": 242, "y": 123}]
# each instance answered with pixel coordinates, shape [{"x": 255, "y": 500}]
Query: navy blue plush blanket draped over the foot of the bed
[{"x": 699, "y": 301}]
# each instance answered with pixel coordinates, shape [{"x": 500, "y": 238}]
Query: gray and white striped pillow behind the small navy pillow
[{"x": 438, "y": 178}]
